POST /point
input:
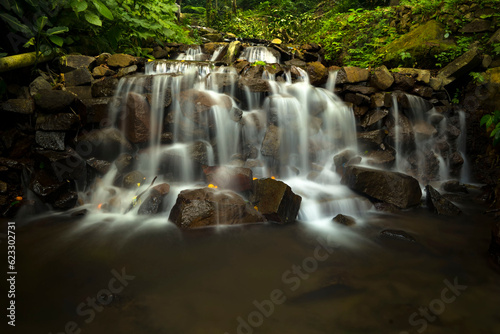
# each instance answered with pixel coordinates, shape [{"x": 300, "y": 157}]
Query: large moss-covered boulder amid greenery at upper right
[{"x": 422, "y": 43}]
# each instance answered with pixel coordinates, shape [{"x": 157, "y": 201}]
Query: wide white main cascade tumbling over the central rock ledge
[{"x": 207, "y": 127}]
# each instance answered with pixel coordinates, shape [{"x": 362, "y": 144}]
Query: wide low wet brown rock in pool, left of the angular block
[{"x": 210, "y": 207}]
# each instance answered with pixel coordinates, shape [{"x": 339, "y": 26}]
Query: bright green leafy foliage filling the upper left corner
[{"x": 113, "y": 25}]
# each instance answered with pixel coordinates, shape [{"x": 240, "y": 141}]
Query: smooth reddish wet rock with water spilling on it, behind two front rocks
[{"x": 237, "y": 179}]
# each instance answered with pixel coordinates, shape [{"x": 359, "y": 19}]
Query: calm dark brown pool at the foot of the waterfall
[{"x": 300, "y": 278}]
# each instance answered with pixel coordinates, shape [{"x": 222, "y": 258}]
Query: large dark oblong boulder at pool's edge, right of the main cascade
[{"x": 391, "y": 187}]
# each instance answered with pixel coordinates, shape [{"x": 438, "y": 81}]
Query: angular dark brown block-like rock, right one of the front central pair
[{"x": 276, "y": 200}]
